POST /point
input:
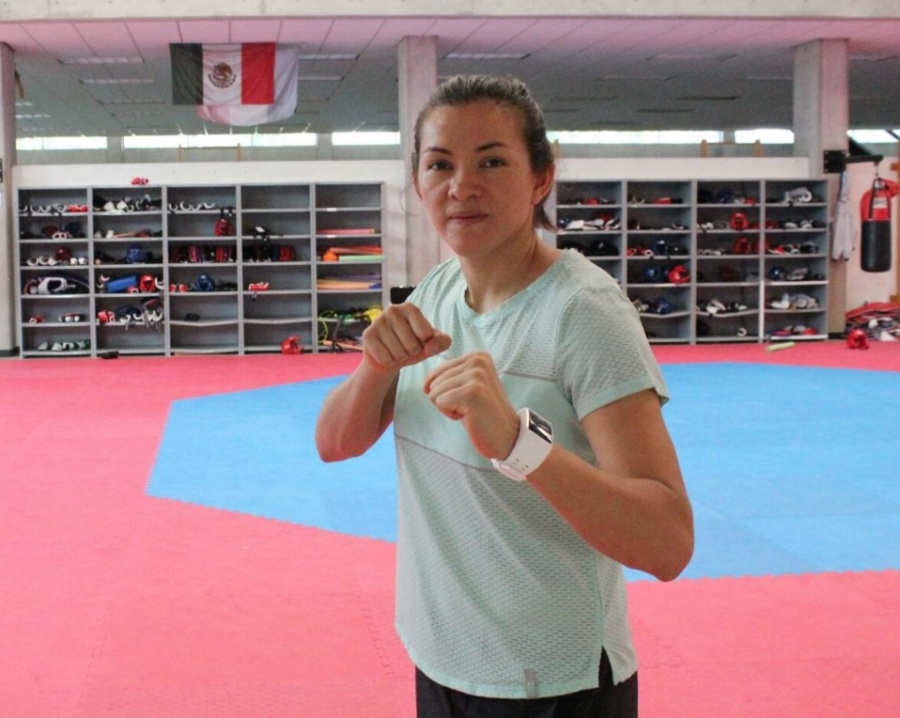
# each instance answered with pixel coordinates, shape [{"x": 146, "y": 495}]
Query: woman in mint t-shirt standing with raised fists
[{"x": 510, "y": 591}]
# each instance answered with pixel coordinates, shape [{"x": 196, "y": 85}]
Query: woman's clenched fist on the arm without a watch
[{"x": 399, "y": 337}]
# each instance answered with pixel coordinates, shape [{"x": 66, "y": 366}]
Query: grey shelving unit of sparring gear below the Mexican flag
[{"x": 200, "y": 268}]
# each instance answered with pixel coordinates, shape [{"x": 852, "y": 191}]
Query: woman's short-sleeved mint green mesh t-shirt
[{"x": 496, "y": 594}]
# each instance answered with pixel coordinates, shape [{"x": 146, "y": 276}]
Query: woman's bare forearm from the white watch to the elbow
[{"x": 642, "y": 523}]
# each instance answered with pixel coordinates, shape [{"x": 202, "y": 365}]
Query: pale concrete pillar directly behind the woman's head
[{"x": 417, "y": 75}]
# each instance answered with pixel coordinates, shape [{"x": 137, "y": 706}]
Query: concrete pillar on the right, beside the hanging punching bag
[{"x": 821, "y": 121}]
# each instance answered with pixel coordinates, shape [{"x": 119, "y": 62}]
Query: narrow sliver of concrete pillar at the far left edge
[{"x": 8, "y": 343}]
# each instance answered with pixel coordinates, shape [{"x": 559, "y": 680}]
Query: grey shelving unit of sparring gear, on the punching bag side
[{"x": 708, "y": 260}]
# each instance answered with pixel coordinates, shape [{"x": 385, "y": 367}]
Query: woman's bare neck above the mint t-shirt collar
[{"x": 492, "y": 280}]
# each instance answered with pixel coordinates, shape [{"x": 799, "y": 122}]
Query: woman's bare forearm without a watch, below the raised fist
[{"x": 355, "y": 414}]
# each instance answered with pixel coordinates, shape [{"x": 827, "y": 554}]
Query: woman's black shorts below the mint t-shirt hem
[{"x": 606, "y": 701}]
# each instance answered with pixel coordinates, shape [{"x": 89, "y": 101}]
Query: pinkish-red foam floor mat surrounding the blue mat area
[{"x": 116, "y": 604}]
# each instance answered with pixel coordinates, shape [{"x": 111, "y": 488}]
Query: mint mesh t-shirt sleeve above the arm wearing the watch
[{"x": 602, "y": 351}]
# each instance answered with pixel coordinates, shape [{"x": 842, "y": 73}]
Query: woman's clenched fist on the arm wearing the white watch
[{"x": 468, "y": 389}]
